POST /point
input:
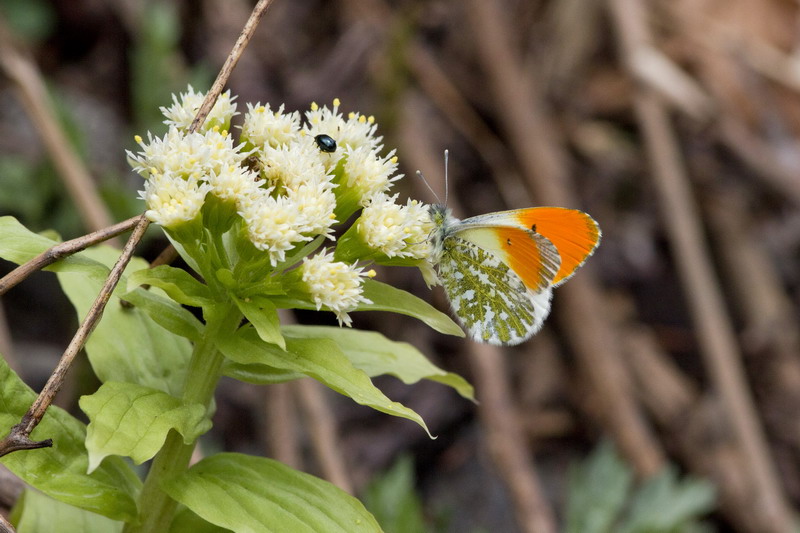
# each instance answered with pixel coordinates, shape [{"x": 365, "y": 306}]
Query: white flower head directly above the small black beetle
[{"x": 355, "y": 131}]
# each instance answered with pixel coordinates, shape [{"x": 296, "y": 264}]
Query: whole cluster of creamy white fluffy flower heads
[{"x": 287, "y": 185}]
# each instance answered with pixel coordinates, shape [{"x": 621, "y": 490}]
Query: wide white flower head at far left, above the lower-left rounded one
[{"x": 191, "y": 155}]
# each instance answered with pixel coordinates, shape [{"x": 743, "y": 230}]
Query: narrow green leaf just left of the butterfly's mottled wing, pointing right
[{"x": 387, "y": 298}]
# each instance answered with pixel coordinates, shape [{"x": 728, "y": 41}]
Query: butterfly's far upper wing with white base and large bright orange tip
[{"x": 573, "y": 233}]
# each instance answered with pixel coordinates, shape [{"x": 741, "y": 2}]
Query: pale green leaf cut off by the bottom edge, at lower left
[{"x": 35, "y": 512}]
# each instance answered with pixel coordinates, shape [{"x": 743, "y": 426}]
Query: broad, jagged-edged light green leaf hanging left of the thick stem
[{"x": 133, "y": 421}]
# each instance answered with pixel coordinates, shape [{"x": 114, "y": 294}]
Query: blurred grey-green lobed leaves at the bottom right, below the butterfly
[{"x": 602, "y": 498}]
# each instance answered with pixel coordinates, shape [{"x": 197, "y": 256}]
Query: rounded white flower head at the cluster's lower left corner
[{"x": 172, "y": 200}]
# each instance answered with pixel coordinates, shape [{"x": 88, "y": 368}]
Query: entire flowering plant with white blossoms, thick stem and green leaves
[{"x": 256, "y": 219}]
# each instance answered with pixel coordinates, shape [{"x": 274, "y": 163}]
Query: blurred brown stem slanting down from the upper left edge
[{"x": 22, "y": 70}]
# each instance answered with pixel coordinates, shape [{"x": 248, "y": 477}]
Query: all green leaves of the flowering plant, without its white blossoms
[{"x": 142, "y": 353}]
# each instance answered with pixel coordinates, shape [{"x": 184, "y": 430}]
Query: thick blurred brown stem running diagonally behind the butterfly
[{"x": 522, "y": 113}]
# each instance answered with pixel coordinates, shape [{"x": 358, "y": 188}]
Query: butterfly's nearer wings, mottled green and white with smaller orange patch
[{"x": 498, "y": 281}]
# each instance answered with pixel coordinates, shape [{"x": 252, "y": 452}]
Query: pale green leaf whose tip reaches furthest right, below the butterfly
[{"x": 376, "y": 355}]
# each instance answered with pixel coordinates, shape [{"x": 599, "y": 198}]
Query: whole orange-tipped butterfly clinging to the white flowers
[{"x": 499, "y": 269}]
